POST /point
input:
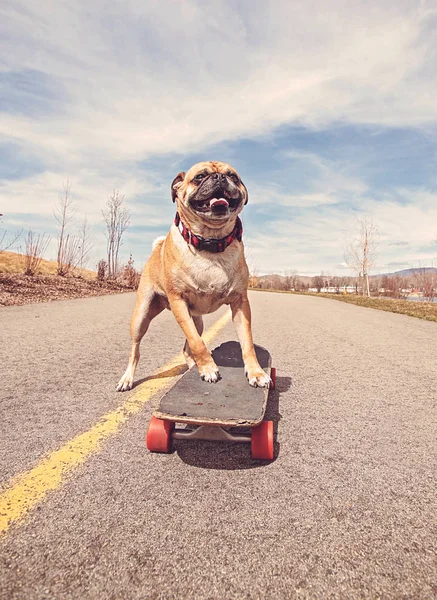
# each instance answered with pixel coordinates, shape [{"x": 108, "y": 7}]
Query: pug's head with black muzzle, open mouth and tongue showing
[{"x": 211, "y": 192}]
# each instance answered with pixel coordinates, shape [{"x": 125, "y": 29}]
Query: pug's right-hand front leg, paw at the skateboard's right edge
[{"x": 241, "y": 317}]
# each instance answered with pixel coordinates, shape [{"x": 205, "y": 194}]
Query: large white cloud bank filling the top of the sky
[{"x": 148, "y": 78}]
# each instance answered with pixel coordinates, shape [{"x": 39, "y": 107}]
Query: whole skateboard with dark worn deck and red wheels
[{"x": 219, "y": 411}]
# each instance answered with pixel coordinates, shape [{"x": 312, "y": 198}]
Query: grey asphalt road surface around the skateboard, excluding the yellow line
[{"x": 346, "y": 510}]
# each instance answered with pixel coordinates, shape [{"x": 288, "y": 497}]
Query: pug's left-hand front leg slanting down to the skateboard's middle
[{"x": 208, "y": 370}]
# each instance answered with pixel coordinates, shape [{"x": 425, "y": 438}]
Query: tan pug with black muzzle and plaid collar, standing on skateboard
[{"x": 197, "y": 268}]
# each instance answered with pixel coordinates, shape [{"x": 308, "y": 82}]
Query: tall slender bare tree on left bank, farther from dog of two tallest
[{"x": 68, "y": 245}]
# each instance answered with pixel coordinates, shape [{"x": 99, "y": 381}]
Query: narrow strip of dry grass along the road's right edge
[{"x": 421, "y": 310}]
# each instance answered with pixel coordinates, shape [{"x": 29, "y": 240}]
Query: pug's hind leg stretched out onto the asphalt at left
[{"x": 148, "y": 306}]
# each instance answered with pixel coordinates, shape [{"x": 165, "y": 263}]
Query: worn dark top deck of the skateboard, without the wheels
[{"x": 229, "y": 402}]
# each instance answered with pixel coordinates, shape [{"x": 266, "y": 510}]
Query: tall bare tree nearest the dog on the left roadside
[{"x": 117, "y": 219}]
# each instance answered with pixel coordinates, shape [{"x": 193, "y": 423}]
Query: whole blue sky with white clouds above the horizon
[{"x": 327, "y": 110}]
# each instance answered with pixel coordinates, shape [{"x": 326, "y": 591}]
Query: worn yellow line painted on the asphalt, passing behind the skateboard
[{"x": 27, "y": 489}]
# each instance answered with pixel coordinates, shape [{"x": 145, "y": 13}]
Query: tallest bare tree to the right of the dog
[{"x": 361, "y": 252}]
